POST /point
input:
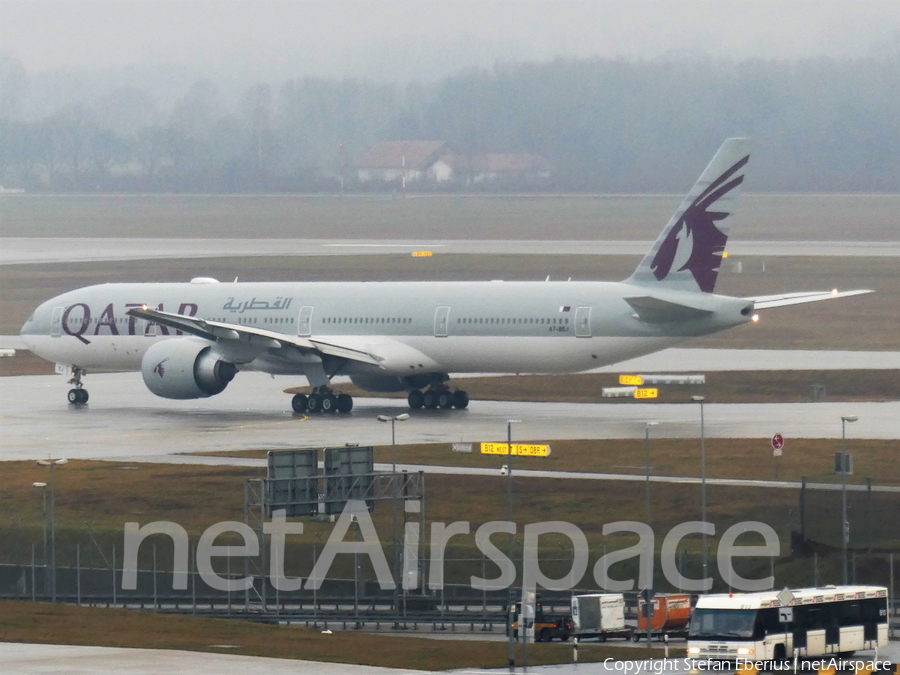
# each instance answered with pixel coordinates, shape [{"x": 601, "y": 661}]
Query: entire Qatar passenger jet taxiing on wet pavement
[{"x": 190, "y": 340}]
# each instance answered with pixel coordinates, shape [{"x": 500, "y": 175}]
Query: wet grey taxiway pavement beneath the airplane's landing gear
[{"x": 124, "y": 420}]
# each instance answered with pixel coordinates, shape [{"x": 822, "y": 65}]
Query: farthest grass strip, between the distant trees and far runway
[{"x": 760, "y": 217}]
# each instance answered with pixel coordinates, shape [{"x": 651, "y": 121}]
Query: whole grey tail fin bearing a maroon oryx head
[{"x": 688, "y": 253}]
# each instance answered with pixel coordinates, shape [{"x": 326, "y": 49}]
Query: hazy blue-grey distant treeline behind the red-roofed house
[{"x": 606, "y": 125}]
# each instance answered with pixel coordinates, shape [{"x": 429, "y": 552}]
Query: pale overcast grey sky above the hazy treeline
[{"x": 400, "y": 39}]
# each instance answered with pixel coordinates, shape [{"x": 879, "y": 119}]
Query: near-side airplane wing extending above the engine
[{"x": 217, "y": 331}]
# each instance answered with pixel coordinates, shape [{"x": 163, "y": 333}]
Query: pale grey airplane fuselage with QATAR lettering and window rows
[{"x": 414, "y": 327}]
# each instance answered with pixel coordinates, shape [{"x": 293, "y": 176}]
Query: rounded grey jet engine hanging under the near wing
[{"x": 185, "y": 368}]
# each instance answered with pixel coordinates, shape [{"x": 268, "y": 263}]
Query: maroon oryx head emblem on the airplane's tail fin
[{"x": 695, "y": 242}]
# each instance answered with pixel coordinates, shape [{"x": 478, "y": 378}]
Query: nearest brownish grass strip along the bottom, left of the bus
[{"x": 61, "y": 624}]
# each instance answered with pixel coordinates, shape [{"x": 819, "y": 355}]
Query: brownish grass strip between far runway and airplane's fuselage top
[{"x": 863, "y": 323}]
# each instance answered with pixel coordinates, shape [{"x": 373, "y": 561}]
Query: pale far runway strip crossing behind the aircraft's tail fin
[{"x": 23, "y": 250}]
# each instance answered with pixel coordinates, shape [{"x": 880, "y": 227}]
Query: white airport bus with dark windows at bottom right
[{"x": 816, "y": 621}]
